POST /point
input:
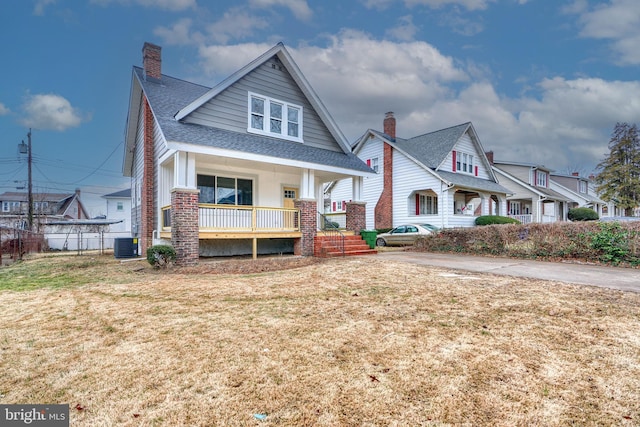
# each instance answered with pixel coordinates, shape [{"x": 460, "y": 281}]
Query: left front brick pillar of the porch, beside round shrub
[{"x": 184, "y": 226}]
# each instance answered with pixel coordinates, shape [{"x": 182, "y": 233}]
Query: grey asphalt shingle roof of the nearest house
[{"x": 167, "y": 96}]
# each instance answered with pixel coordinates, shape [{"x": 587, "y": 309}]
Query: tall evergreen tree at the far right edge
[{"x": 618, "y": 179}]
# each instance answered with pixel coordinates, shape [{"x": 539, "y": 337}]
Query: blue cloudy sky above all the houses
[{"x": 542, "y": 81}]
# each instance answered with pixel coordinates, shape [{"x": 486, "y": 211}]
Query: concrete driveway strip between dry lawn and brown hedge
[{"x": 624, "y": 279}]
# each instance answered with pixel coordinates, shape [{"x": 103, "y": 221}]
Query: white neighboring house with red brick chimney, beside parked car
[{"x": 442, "y": 178}]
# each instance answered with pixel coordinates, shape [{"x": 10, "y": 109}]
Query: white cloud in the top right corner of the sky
[{"x": 617, "y": 21}]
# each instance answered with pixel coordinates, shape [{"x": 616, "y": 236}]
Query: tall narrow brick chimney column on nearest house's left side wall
[{"x": 148, "y": 213}]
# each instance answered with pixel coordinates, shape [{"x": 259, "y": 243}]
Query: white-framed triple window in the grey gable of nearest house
[{"x": 272, "y": 117}]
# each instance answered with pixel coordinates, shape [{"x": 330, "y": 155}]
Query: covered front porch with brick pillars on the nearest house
[{"x": 231, "y": 206}]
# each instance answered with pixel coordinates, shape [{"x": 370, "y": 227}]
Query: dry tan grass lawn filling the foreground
[{"x": 357, "y": 341}]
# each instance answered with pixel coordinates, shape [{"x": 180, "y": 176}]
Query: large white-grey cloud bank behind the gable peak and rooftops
[{"x": 559, "y": 122}]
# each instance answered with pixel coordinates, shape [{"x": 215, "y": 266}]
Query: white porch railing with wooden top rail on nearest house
[{"x": 240, "y": 218}]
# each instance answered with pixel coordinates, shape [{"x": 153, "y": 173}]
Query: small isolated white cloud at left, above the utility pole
[{"x": 50, "y": 112}]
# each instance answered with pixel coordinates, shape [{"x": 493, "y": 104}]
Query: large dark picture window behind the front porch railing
[{"x": 221, "y": 190}]
